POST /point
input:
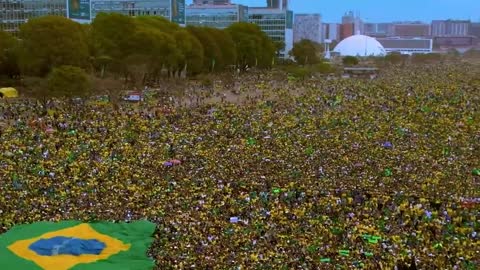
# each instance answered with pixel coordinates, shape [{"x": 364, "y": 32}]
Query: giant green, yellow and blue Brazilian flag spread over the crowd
[{"x": 76, "y": 245}]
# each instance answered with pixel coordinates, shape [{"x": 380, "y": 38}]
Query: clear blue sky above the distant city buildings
[{"x": 384, "y": 10}]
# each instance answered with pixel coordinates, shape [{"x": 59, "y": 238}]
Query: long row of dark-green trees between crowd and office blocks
[{"x": 139, "y": 49}]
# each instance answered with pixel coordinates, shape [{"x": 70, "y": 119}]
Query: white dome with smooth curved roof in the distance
[{"x": 360, "y": 45}]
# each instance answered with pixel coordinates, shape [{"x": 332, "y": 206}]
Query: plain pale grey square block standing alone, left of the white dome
[{"x": 307, "y": 26}]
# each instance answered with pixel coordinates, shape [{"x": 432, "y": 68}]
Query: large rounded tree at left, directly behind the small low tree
[{"x": 51, "y": 41}]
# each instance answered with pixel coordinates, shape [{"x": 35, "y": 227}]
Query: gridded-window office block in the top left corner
[{"x": 15, "y": 13}]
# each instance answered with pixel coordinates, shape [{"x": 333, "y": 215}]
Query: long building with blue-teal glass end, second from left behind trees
[{"x": 173, "y": 10}]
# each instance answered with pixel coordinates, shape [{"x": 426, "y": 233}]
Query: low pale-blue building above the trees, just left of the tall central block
[{"x": 217, "y": 16}]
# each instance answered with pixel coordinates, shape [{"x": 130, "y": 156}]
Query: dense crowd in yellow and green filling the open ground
[{"x": 323, "y": 174}]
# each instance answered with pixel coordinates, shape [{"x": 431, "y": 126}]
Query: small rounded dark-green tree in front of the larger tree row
[{"x": 68, "y": 81}]
